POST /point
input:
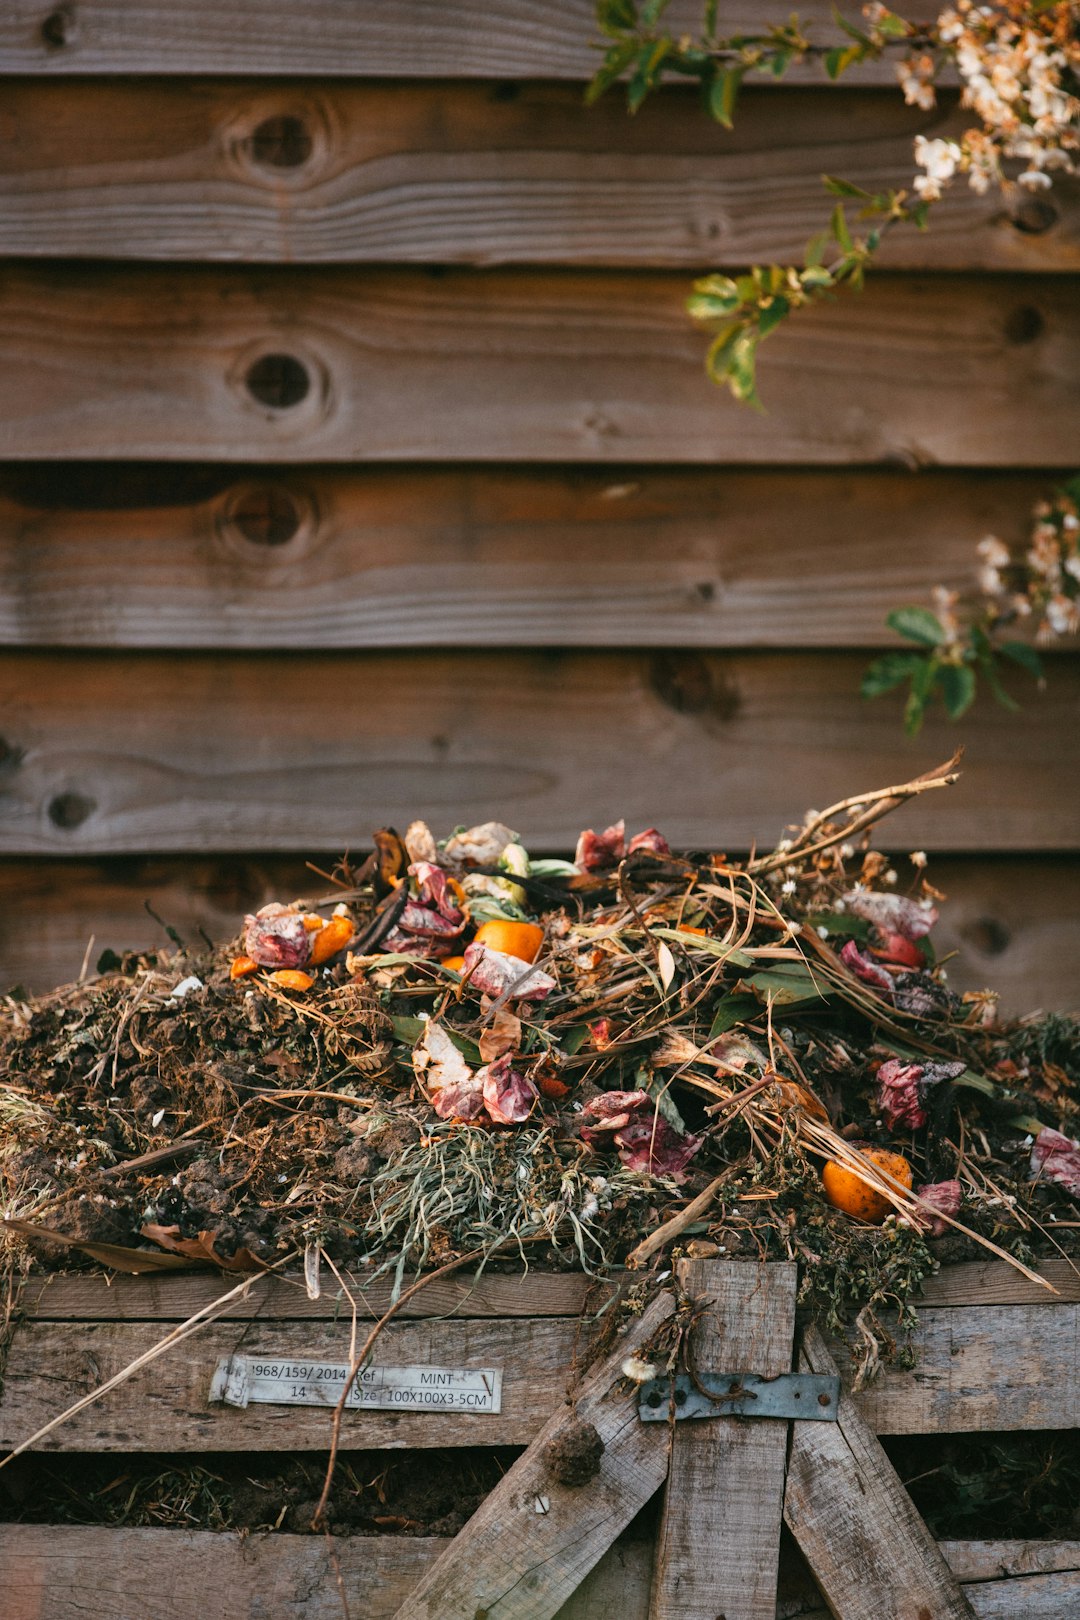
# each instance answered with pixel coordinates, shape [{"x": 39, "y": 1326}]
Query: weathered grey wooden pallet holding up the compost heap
[{"x": 995, "y": 1354}]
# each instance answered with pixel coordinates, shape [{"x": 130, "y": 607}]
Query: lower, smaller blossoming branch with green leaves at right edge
[{"x": 971, "y": 637}]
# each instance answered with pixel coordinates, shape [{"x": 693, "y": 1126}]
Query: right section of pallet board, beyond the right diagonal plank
[{"x": 982, "y": 1368}]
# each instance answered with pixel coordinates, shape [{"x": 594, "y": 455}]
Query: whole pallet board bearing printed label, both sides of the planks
[{"x": 977, "y": 1368}]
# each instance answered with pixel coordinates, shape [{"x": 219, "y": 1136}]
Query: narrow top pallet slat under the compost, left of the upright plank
[{"x": 98, "y": 1298}]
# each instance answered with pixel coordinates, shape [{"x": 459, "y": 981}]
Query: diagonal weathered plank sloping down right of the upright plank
[{"x": 867, "y": 1546}]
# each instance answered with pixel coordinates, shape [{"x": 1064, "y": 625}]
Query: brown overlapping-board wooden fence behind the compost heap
[{"x": 357, "y": 463}]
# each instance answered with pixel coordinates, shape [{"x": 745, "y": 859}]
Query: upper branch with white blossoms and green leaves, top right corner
[{"x": 1019, "y": 64}]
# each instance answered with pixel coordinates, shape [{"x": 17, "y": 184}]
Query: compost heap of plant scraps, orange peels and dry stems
[{"x": 469, "y": 1052}]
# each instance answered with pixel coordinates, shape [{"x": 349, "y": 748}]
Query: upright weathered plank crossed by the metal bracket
[{"x": 721, "y": 1530}]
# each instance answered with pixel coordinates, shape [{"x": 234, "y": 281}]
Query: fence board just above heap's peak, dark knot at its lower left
[{"x": 148, "y": 752}]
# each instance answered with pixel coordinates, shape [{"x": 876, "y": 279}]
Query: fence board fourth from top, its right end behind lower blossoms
[{"x": 330, "y": 558}]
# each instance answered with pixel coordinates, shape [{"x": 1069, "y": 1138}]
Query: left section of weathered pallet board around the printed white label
[{"x": 164, "y": 1409}]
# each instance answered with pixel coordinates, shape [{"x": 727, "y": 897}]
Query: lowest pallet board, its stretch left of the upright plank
[{"x": 90, "y": 1574}]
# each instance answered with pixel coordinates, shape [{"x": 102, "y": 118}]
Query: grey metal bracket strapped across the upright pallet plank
[{"x": 804, "y": 1396}]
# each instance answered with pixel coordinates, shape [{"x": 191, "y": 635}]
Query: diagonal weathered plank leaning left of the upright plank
[{"x": 535, "y": 1538}]
